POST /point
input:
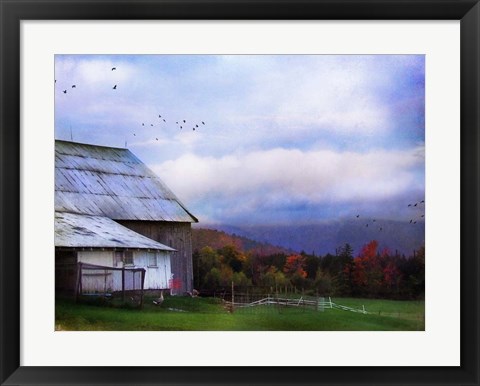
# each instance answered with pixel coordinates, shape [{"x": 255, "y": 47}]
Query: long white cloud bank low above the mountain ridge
[{"x": 294, "y": 176}]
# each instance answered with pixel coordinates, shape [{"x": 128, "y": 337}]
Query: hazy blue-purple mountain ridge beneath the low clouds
[{"x": 323, "y": 238}]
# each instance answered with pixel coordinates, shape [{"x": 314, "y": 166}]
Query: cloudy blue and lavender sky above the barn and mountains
[{"x": 287, "y": 138}]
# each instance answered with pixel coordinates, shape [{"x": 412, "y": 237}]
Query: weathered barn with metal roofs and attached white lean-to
[{"x": 112, "y": 210}]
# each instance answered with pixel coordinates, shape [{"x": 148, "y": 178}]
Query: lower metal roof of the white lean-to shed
[{"x": 83, "y": 231}]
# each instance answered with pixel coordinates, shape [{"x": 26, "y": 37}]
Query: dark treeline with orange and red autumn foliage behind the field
[{"x": 372, "y": 273}]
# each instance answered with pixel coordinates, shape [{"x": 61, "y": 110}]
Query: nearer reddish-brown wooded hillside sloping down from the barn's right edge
[{"x": 217, "y": 239}]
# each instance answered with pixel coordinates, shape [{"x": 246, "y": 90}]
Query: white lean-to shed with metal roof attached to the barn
[{"x": 102, "y": 242}]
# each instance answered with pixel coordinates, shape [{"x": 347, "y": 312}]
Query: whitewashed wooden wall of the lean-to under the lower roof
[{"x": 99, "y": 280}]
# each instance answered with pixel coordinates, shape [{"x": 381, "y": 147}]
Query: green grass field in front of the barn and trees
[{"x": 208, "y": 314}]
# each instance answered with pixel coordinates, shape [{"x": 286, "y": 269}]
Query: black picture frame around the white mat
[{"x": 14, "y": 11}]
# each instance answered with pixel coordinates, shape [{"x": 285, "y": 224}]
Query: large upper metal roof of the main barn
[{"x": 112, "y": 182}]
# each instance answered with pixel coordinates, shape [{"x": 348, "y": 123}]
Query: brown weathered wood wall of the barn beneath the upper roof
[{"x": 177, "y": 235}]
